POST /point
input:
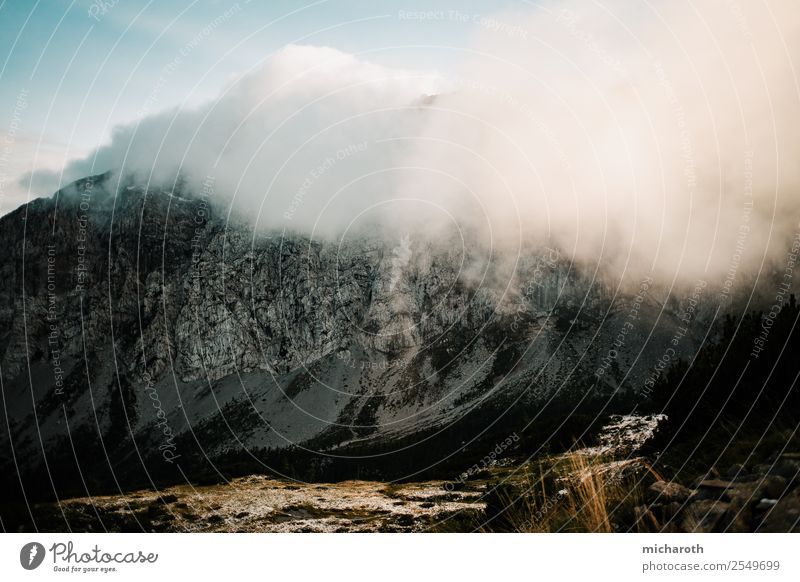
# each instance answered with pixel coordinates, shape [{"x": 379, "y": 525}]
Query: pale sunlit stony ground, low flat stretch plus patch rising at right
[{"x": 264, "y": 504}]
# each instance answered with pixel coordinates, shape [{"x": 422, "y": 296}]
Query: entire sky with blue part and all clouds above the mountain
[{"x": 661, "y": 135}]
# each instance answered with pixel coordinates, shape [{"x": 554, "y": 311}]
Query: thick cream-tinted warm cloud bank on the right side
[{"x": 662, "y": 137}]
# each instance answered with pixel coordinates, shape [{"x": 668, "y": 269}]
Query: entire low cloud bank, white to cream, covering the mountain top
[{"x": 657, "y": 136}]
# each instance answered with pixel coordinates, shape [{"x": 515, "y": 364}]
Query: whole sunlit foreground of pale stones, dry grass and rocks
[{"x": 606, "y": 487}]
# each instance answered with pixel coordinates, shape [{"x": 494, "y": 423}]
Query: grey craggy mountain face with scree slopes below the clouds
[{"x": 135, "y": 322}]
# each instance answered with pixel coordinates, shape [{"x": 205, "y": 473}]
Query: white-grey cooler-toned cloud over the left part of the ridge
[{"x": 282, "y": 144}]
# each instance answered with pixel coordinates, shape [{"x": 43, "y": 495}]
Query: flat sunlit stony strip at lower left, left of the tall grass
[{"x": 261, "y": 504}]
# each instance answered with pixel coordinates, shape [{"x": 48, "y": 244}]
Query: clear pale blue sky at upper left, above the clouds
[{"x": 71, "y": 71}]
